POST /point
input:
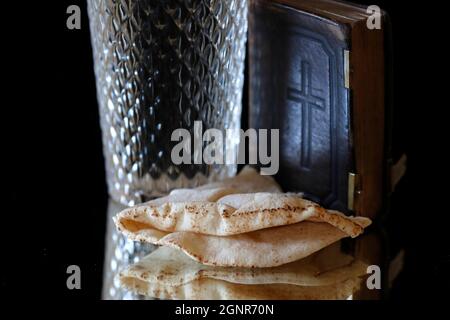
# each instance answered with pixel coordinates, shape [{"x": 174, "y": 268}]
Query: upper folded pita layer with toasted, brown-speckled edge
[{"x": 230, "y": 215}]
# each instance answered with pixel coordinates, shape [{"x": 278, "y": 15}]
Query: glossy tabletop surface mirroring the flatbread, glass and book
[{"x": 341, "y": 271}]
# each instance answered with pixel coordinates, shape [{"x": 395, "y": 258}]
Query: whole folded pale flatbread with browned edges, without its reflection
[{"x": 244, "y": 221}]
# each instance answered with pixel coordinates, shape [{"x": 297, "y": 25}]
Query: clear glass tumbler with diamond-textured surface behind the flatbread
[{"x": 161, "y": 65}]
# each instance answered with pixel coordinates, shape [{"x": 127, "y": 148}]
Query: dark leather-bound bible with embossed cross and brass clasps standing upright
[{"x": 321, "y": 76}]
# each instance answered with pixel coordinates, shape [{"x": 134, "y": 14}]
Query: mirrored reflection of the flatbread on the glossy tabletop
[{"x": 168, "y": 274}]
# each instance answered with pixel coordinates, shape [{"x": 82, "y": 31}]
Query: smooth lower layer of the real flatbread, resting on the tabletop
[{"x": 259, "y": 249}]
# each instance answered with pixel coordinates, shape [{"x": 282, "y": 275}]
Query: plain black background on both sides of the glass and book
[{"x": 54, "y": 175}]
